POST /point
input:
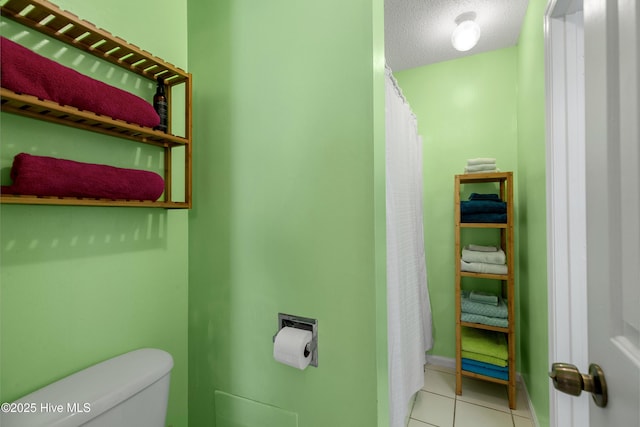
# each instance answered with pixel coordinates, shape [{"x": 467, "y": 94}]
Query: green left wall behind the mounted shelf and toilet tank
[{"x": 79, "y": 285}]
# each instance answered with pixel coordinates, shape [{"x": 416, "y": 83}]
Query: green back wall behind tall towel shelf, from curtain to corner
[{"x": 466, "y": 108}]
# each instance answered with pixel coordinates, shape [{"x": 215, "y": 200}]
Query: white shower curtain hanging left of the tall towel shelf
[{"x": 408, "y": 306}]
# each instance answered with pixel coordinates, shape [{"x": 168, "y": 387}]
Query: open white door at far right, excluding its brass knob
[{"x": 613, "y": 204}]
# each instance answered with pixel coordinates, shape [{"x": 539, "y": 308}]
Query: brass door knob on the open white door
[{"x": 568, "y": 379}]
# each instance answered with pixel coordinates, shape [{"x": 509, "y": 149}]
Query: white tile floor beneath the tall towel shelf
[{"x": 482, "y": 403}]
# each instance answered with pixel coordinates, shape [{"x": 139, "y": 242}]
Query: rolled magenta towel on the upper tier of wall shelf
[{"x": 24, "y": 71}]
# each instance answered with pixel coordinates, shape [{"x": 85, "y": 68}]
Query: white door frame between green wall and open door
[{"x": 566, "y": 210}]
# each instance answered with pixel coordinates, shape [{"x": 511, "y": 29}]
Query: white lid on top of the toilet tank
[{"x": 98, "y": 387}]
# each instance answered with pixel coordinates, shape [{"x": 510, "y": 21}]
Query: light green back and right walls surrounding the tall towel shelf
[{"x": 489, "y": 105}]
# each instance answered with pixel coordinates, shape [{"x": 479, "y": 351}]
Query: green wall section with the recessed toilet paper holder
[{"x": 284, "y": 221}]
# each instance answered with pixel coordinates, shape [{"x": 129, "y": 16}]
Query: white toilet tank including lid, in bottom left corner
[{"x": 130, "y": 390}]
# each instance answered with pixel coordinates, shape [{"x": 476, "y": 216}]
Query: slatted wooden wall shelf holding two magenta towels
[{"x": 49, "y": 19}]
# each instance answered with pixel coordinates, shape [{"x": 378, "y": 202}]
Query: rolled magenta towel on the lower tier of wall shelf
[{"x": 48, "y": 176}]
